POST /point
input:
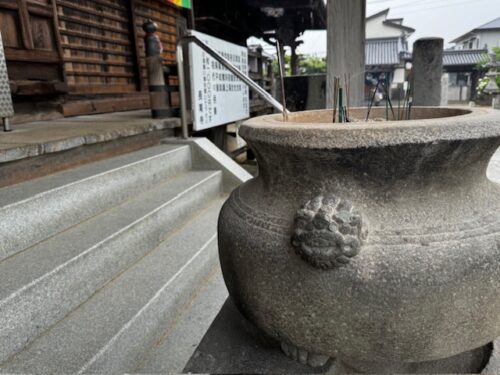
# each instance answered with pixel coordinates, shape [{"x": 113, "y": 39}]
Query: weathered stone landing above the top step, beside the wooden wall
[{"x": 44, "y": 147}]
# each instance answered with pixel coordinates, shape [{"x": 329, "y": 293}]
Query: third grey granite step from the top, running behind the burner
[{"x": 118, "y": 326}]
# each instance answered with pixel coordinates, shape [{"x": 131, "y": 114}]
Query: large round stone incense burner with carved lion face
[{"x": 375, "y": 243}]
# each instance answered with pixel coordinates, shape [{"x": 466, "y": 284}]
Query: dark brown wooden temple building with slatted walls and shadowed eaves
[{"x": 74, "y": 57}]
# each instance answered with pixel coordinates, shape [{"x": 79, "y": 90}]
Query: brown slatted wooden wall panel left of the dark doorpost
[{"x": 97, "y": 45}]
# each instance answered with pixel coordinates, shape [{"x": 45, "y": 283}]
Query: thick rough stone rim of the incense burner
[{"x": 311, "y": 129}]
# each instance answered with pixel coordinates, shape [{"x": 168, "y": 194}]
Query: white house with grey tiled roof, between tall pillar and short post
[{"x": 386, "y": 49}]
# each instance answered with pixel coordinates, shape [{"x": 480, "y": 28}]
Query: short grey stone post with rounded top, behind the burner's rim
[{"x": 427, "y": 71}]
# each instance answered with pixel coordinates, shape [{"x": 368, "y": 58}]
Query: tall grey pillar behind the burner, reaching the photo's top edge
[{"x": 346, "y": 47}]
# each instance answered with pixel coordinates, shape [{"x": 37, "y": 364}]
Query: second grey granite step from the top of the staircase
[{"x": 43, "y": 284}]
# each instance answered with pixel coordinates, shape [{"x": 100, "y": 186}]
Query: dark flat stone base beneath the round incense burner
[{"x": 232, "y": 345}]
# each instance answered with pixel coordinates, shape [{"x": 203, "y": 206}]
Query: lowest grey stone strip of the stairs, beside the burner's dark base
[{"x": 170, "y": 355}]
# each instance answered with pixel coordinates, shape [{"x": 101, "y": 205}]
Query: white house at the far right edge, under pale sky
[{"x": 486, "y": 36}]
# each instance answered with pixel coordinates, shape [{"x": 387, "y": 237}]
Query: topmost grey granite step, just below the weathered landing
[{"x": 33, "y": 211}]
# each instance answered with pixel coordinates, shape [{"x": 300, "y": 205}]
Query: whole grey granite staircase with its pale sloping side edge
[{"x": 113, "y": 267}]
